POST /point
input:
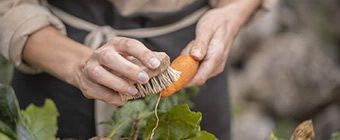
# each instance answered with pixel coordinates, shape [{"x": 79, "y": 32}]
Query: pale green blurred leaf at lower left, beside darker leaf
[{"x": 41, "y": 121}]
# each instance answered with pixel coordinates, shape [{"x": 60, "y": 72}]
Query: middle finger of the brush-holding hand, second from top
[{"x": 114, "y": 61}]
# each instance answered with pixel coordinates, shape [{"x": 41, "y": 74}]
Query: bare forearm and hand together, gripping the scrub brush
[{"x": 100, "y": 74}]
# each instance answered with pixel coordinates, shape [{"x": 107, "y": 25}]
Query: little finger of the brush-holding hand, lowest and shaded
[{"x": 95, "y": 91}]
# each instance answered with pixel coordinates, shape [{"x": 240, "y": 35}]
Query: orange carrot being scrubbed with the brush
[{"x": 188, "y": 67}]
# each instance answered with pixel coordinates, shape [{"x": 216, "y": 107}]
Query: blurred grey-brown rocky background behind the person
[{"x": 283, "y": 69}]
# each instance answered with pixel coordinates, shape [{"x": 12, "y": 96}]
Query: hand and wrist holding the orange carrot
[{"x": 215, "y": 33}]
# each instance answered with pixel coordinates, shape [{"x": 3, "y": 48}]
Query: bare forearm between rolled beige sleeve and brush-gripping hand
[{"x": 54, "y": 53}]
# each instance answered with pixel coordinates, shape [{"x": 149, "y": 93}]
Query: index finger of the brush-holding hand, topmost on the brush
[{"x": 137, "y": 49}]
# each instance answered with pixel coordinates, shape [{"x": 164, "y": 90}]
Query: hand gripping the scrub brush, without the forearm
[{"x": 108, "y": 72}]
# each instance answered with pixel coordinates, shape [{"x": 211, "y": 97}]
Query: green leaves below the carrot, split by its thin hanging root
[{"x": 177, "y": 122}]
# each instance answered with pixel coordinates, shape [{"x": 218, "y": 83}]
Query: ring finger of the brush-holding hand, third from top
[{"x": 107, "y": 79}]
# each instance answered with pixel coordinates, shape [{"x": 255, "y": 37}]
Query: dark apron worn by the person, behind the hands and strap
[{"x": 76, "y": 118}]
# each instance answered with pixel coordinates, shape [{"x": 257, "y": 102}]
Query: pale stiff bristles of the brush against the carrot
[{"x": 155, "y": 85}]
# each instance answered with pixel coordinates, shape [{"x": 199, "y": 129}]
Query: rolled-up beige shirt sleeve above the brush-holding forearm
[{"x": 19, "y": 19}]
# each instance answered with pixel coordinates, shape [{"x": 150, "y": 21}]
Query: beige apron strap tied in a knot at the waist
[{"x": 101, "y": 34}]
